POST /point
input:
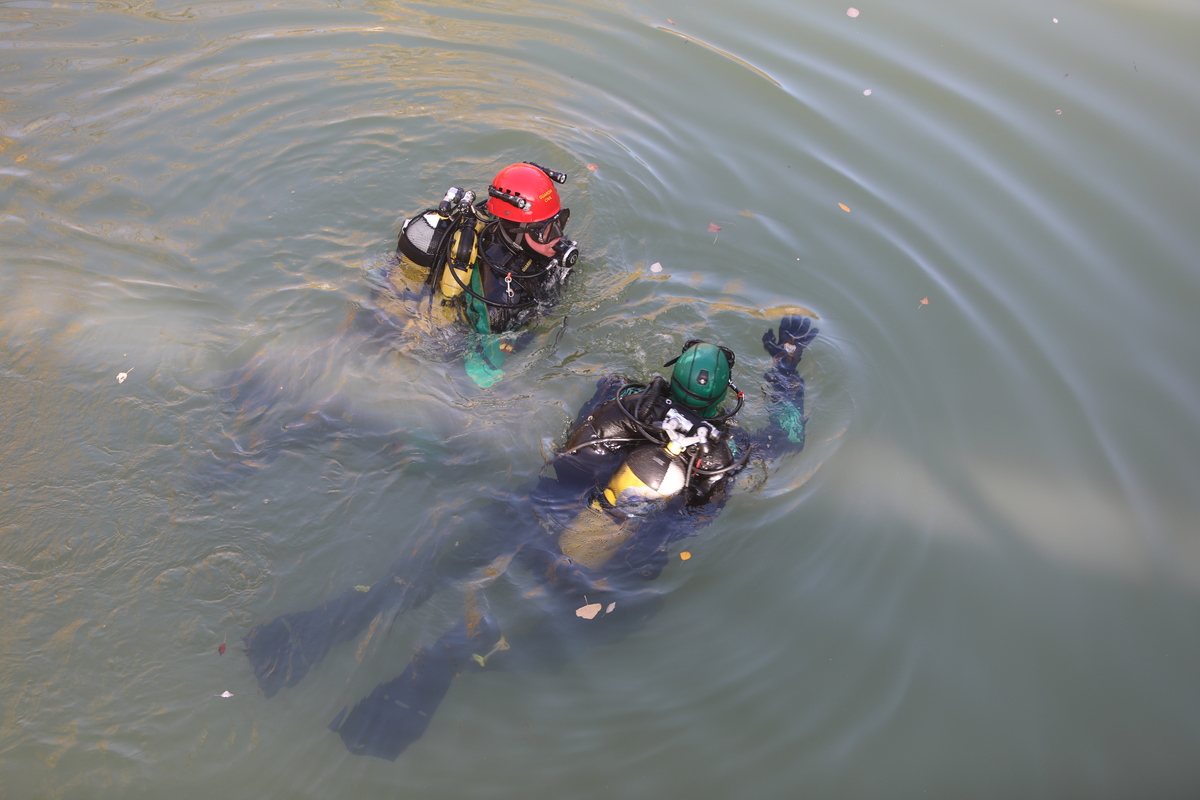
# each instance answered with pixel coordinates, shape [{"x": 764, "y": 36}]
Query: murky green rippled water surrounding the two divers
[{"x": 982, "y": 578}]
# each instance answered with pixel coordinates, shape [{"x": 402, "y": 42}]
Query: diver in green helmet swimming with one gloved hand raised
[{"x": 645, "y": 466}]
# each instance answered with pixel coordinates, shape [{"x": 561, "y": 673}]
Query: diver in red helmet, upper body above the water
[{"x": 493, "y": 264}]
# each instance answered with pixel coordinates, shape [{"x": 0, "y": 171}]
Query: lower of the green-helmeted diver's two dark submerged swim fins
[{"x": 398, "y": 713}]
